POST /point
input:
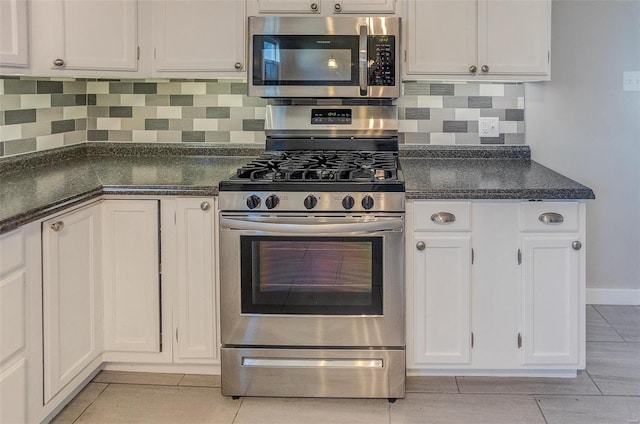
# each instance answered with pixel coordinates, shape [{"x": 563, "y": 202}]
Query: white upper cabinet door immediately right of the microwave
[{"x": 441, "y": 36}]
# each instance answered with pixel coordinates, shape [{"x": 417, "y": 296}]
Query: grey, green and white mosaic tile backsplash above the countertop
[{"x": 40, "y": 114}]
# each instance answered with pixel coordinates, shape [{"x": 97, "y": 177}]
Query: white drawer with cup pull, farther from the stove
[{"x": 550, "y": 216}]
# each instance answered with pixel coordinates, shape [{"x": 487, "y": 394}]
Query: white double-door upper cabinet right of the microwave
[{"x": 478, "y": 39}]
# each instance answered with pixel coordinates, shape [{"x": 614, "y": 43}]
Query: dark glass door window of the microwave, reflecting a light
[{"x": 303, "y": 60}]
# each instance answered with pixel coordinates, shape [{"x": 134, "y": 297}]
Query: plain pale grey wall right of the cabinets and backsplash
[{"x": 583, "y": 125}]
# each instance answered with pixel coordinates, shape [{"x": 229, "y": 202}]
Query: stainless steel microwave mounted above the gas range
[{"x": 316, "y": 57}]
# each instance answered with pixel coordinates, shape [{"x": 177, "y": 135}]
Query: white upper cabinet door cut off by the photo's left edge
[{"x": 14, "y": 33}]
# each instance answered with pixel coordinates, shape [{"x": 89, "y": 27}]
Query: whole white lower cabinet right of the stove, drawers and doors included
[{"x": 491, "y": 289}]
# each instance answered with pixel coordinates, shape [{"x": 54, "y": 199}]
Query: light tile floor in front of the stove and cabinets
[{"x": 607, "y": 392}]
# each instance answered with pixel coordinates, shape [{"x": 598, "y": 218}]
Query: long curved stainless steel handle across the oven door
[{"x": 312, "y": 228}]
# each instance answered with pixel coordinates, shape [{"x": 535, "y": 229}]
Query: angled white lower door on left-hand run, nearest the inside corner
[{"x": 71, "y": 296}]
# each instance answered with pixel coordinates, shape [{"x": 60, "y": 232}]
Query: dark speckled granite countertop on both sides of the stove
[{"x": 41, "y": 184}]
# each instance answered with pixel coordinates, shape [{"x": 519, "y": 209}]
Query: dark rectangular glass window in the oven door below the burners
[{"x": 311, "y": 275}]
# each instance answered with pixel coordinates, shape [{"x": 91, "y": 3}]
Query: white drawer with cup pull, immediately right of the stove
[{"x": 442, "y": 216}]
